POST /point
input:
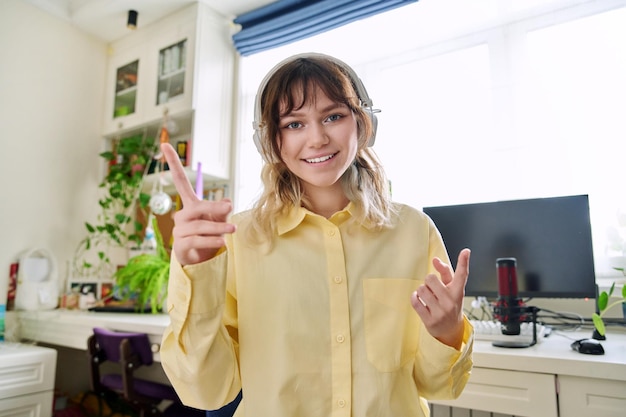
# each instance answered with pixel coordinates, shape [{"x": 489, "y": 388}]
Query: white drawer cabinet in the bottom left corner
[{"x": 26, "y": 380}]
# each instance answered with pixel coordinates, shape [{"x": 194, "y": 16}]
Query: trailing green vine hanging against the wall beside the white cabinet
[{"x": 116, "y": 226}]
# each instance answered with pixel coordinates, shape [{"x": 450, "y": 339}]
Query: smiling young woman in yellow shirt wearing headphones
[{"x": 327, "y": 298}]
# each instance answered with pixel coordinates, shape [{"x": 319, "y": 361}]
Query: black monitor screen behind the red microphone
[{"x": 549, "y": 237}]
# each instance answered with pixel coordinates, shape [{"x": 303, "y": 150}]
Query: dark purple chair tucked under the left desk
[{"x": 131, "y": 351}]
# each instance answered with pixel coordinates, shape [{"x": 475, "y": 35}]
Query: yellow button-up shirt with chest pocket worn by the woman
[{"x": 320, "y": 325}]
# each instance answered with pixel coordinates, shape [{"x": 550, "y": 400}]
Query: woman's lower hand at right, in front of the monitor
[{"x": 439, "y": 302}]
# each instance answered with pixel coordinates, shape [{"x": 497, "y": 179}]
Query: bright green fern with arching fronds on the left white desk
[{"x": 145, "y": 276}]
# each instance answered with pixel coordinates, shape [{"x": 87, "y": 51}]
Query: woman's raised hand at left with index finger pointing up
[{"x": 199, "y": 227}]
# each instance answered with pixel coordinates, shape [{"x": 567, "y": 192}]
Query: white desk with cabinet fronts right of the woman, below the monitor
[{"x": 548, "y": 379}]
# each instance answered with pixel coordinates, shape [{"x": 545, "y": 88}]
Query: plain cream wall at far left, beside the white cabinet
[{"x": 51, "y": 97}]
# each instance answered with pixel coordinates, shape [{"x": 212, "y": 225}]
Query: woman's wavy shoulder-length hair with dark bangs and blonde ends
[{"x": 365, "y": 184}]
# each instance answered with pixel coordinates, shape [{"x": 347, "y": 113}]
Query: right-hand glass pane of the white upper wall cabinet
[{"x": 171, "y": 80}]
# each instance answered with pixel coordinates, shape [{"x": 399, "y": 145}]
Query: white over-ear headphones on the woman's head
[{"x": 366, "y": 101}]
